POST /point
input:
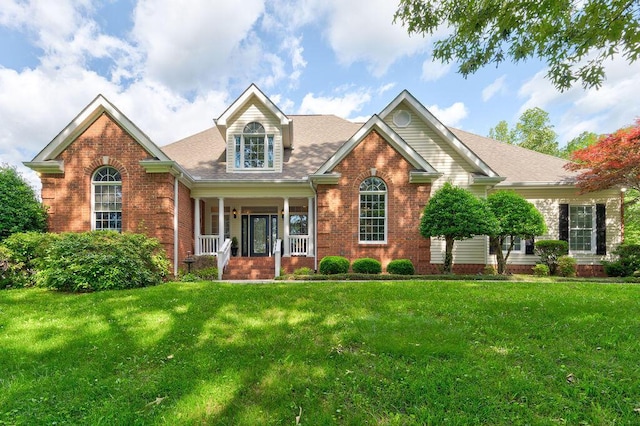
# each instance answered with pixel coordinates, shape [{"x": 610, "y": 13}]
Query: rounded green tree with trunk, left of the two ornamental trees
[{"x": 454, "y": 213}]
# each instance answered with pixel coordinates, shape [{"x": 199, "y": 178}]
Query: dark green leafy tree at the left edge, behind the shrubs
[{"x": 20, "y": 209}]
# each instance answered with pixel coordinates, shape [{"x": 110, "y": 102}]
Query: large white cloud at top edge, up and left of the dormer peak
[{"x": 172, "y": 33}]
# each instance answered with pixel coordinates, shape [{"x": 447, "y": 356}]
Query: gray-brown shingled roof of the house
[{"x": 317, "y": 137}]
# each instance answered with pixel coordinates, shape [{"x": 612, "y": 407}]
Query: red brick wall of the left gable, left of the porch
[{"x": 147, "y": 198}]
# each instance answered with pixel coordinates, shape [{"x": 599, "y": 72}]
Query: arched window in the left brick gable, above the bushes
[{"x": 106, "y": 203}]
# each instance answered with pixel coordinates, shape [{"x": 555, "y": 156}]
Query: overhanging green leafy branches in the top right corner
[{"x": 574, "y": 37}]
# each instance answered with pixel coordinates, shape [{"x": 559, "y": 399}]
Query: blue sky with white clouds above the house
[{"x": 172, "y": 67}]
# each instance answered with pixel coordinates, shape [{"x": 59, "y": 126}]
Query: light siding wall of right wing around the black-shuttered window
[{"x": 547, "y": 201}]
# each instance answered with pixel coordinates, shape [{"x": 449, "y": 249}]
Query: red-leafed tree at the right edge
[{"x": 613, "y": 161}]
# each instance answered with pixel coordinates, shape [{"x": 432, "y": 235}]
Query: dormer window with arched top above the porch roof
[{"x": 254, "y": 148}]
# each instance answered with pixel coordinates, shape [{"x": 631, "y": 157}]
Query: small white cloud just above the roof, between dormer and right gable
[{"x": 344, "y": 105}]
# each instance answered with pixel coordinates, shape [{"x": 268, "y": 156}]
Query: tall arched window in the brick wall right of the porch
[{"x": 373, "y": 211}]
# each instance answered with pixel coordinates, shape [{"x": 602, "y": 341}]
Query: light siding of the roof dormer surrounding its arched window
[{"x": 254, "y": 111}]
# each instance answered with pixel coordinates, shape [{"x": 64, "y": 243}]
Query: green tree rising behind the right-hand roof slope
[{"x": 532, "y": 131}]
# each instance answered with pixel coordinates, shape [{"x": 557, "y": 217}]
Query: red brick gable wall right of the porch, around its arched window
[{"x": 338, "y": 207}]
